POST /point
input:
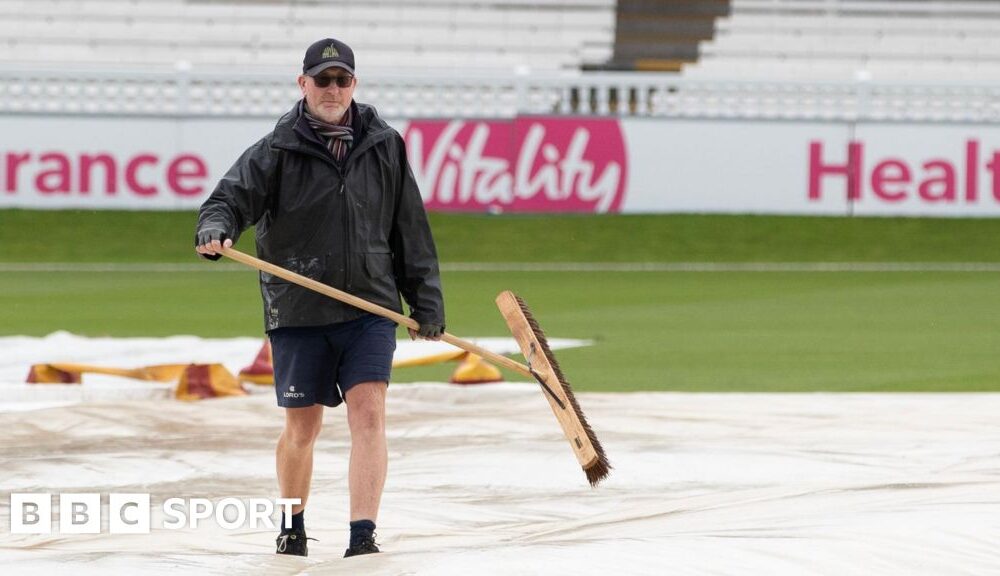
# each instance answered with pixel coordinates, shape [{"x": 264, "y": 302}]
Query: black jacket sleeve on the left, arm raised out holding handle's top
[{"x": 241, "y": 196}]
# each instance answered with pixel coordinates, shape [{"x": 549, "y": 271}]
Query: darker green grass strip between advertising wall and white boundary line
[{"x": 110, "y": 236}]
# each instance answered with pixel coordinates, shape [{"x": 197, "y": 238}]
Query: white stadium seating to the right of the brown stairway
[{"x": 922, "y": 41}]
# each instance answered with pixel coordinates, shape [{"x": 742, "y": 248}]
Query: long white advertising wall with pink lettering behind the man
[{"x": 664, "y": 164}]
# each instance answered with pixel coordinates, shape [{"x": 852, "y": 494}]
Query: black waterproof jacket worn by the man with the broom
[{"x": 359, "y": 227}]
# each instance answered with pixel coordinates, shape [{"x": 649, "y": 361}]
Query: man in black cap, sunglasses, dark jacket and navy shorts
[{"x": 333, "y": 198}]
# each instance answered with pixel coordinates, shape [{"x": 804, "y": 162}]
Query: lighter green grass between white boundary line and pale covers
[{"x": 653, "y": 331}]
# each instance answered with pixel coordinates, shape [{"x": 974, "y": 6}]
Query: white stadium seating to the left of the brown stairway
[{"x": 249, "y": 35}]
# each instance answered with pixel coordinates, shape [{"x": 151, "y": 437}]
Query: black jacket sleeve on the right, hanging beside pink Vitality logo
[{"x": 414, "y": 255}]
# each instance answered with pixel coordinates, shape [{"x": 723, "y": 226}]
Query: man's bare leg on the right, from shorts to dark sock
[{"x": 369, "y": 456}]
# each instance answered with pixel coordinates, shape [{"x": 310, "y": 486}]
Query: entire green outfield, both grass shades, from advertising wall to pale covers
[{"x": 653, "y": 330}]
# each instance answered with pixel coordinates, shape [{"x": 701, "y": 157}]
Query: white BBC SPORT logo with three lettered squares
[{"x": 81, "y": 513}]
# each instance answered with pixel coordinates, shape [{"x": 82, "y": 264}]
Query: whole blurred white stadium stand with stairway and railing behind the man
[{"x": 925, "y": 60}]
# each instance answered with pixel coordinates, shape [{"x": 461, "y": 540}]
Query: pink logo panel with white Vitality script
[{"x": 524, "y": 165}]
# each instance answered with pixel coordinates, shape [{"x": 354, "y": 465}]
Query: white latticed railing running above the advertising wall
[{"x": 190, "y": 93}]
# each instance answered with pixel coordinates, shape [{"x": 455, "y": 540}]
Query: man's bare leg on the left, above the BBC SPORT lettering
[{"x": 295, "y": 452}]
